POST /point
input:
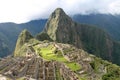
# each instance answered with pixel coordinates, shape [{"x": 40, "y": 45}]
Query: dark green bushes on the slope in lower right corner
[{"x": 112, "y": 70}]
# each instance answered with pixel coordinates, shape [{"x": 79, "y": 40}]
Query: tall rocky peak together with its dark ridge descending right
[{"x": 61, "y": 28}]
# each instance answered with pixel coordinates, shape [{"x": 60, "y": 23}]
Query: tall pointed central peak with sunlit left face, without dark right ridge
[{"x": 61, "y": 28}]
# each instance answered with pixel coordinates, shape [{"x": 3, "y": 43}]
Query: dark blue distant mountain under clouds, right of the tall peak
[{"x": 108, "y": 22}]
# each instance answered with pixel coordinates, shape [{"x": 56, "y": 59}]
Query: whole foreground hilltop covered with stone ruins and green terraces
[{"x": 55, "y": 61}]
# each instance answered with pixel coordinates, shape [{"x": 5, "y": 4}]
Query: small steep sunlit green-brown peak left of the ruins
[{"x": 23, "y": 38}]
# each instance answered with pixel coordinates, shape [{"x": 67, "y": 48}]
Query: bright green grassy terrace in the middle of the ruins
[{"x": 51, "y": 53}]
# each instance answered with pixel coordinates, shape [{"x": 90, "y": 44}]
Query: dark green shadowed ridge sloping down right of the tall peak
[{"x": 96, "y": 43}]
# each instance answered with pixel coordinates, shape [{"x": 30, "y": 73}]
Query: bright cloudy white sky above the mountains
[{"x": 21, "y": 11}]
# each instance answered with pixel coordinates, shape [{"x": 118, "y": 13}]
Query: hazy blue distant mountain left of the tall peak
[{"x": 9, "y": 33}]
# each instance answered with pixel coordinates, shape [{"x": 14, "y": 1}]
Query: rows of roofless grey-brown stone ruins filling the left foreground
[{"x": 34, "y": 69}]
